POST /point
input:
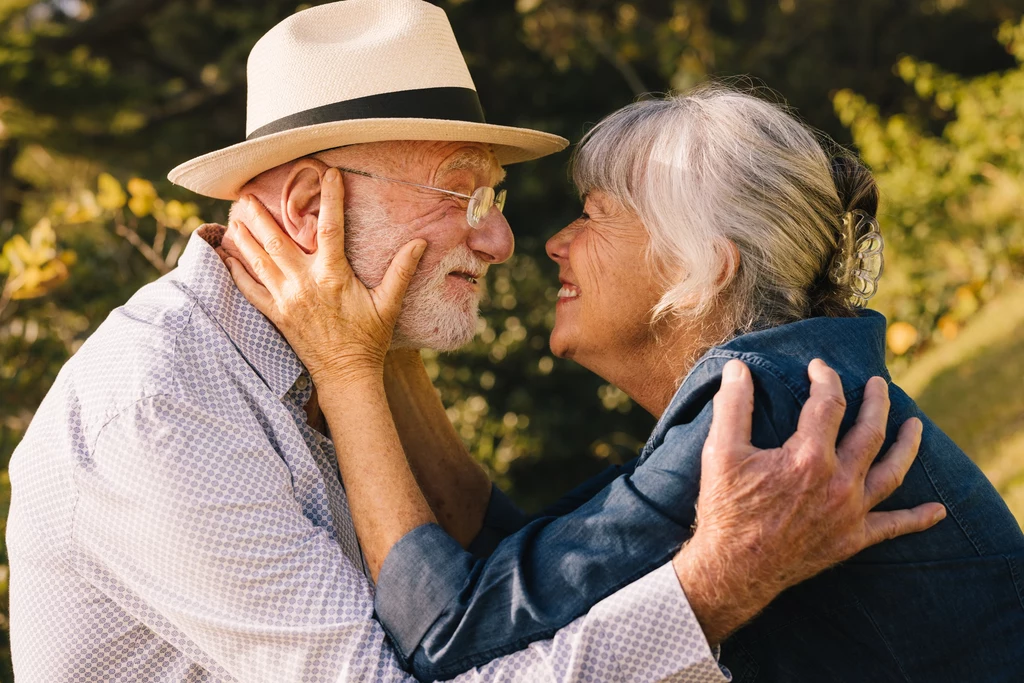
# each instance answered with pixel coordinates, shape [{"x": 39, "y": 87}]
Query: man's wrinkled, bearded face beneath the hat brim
[{"x": 443, "y": 304}]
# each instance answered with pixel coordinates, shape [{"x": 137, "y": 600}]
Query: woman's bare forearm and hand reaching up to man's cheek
[{"x": 342, "y": 331}]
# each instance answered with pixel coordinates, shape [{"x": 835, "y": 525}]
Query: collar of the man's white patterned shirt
[{"x": 202, "y": 272}]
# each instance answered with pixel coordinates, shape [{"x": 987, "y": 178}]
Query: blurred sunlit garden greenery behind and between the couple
[{"x": 100, "y": 100}]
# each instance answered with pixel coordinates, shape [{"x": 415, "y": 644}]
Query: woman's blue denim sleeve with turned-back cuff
[{"x": 448, "y": 611}]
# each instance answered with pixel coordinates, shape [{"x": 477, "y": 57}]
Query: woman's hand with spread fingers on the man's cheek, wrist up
[{"x": 340, "y": 329}]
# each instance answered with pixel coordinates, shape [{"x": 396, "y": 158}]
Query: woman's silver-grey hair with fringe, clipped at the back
[{"x": 716, "y": 166}]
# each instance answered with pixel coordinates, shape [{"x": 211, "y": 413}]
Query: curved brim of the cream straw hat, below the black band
[{"x": 222, "y": 175}]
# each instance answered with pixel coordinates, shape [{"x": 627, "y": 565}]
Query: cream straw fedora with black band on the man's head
[{"x": 351, "y": 72}]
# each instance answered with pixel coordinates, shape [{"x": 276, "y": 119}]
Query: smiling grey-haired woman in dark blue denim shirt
[{"x": 716, "y": 228}]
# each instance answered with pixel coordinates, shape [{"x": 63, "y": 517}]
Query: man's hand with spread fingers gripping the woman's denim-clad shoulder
[{"x": 769, "y": 520}]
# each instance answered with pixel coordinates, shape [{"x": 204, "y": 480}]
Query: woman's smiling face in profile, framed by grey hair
[{"x": 608, "y": 288}]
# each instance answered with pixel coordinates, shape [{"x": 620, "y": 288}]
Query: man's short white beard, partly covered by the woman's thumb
[{"x": 432, "y": 317}]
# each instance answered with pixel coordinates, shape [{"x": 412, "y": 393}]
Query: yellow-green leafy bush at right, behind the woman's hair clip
[{"x": 954, "y": 202}]
